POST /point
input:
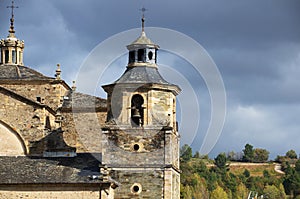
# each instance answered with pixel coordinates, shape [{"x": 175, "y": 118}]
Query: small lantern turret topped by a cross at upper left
[{"x": 11, "y": 47}]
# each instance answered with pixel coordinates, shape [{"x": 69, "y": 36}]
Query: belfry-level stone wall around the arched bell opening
[{"x": 159, "y": 107}]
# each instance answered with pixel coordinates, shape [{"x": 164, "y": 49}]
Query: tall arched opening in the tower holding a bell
[{"x": 137, "y": 111}]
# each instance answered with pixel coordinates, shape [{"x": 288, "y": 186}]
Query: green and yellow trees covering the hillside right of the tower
[{"x": 235, "y": 175}]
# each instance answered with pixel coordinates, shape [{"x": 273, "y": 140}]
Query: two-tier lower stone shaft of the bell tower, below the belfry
[{"x": 146, "y": 158}]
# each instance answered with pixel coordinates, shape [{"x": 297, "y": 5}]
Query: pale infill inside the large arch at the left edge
[{"x": 12, "y": 143}]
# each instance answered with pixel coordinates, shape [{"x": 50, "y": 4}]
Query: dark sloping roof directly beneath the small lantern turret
[{"x": 20, "y": 72}]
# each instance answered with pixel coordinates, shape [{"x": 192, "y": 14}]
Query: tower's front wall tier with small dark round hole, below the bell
[{"x": 133, "y": 147}]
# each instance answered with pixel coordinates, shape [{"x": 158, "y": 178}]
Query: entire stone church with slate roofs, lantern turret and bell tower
[{"x": 134, "y": 147}]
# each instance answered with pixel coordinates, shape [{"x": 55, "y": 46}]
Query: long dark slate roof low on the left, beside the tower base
[{"x": 31, "y": 170}]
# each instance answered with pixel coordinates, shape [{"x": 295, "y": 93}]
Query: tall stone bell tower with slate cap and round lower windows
[{"x": 140, "y": 142}]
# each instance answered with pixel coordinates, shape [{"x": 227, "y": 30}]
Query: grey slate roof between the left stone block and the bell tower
[{"x": 77, "y": 100}]
